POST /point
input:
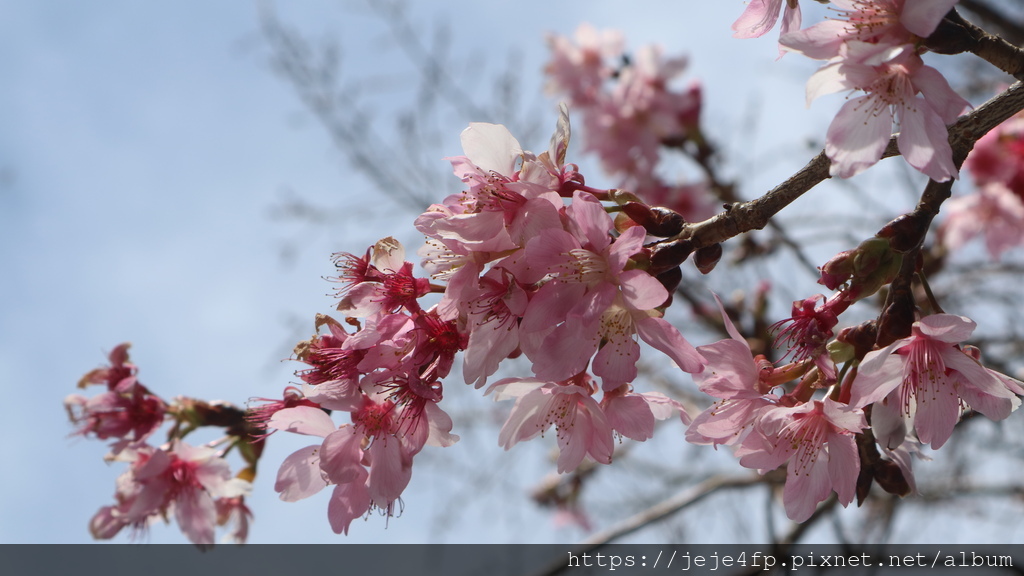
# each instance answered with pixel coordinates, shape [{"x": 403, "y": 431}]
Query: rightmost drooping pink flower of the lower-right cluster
[{"x": 926, "y": 379}]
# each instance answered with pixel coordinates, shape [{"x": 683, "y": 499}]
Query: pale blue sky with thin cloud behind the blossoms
[{"x": 143, "y": 148}]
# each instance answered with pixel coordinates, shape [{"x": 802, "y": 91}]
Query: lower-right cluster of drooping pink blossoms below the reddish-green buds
[{"x": 918, "y": 389}]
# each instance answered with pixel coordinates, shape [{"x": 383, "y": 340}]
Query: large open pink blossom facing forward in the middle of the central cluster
[{"x": 593, "y": 299}]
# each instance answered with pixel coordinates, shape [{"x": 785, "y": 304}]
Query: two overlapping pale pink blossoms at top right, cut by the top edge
[{"x": 875, "y": 49}]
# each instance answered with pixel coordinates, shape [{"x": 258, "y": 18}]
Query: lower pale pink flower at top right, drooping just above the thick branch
[{"x": 892, "y": 78}]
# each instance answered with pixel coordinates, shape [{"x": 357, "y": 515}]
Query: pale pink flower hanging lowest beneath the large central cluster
[{"x": 581, "y": 426}]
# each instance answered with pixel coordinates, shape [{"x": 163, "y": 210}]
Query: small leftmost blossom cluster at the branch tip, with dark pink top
[{"x": 192, "y": 483}]
